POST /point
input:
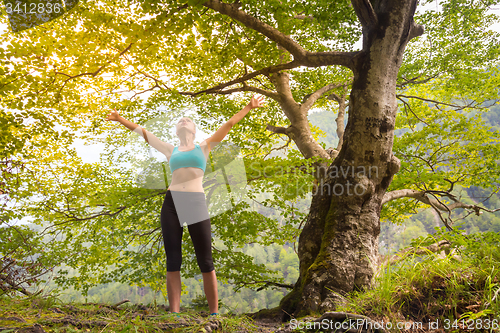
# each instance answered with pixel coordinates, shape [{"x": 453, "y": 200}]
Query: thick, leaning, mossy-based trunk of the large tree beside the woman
[{"x": 338, "y": 248}]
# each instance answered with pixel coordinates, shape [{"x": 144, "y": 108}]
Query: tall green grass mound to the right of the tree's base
[{"x": 461, "y": 289}]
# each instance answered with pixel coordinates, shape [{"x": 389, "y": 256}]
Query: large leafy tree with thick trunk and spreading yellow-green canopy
[{"x": 177, "y": 53}]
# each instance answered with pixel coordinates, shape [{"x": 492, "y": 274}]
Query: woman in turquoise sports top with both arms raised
[{"x": 185, "y": 200}]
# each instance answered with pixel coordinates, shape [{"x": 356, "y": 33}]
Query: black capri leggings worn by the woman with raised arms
[{"x": 200, "y": 232}]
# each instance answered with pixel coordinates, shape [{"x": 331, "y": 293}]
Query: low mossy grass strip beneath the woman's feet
[{"x": 55, "y": 316}]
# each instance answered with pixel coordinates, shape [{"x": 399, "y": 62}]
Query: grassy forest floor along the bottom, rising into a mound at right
[{"x": 456, "y": 291}]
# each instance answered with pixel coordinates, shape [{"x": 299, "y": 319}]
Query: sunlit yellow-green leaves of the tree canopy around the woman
[{"x": 148, "y": 57}]
